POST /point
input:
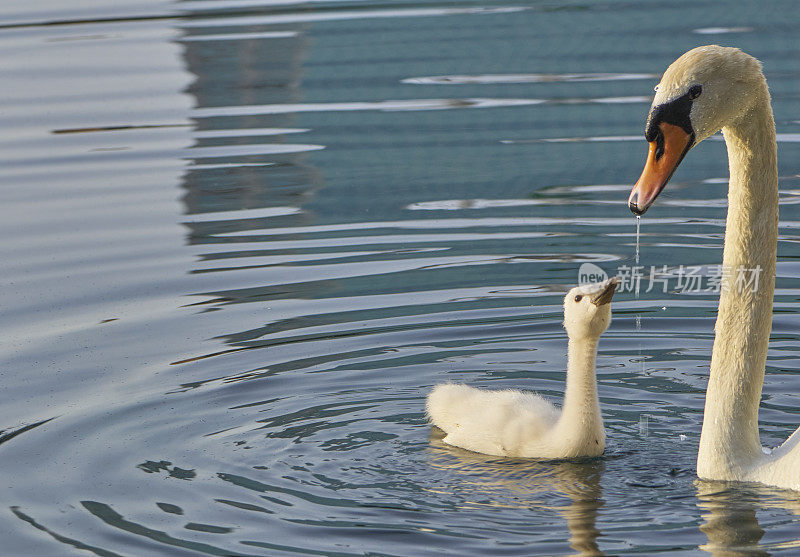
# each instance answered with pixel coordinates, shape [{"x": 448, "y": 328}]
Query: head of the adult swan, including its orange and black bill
[{"x": 701, "y": 92}]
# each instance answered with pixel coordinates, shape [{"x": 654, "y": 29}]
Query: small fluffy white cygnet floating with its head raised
[{"x": 523, "y": 424}]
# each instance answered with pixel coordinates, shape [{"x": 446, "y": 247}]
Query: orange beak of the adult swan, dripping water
[{"x": 665, "y": 154}]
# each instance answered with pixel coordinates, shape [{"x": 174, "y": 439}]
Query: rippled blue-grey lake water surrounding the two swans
[{"x": 242, "y": 239}]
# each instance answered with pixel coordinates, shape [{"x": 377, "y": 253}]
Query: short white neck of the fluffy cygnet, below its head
[{"x": 581, "y": 409}]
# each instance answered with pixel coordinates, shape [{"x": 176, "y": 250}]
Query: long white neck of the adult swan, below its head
[{"x": 729, "y": 441}]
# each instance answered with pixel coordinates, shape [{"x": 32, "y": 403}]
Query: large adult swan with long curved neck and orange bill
[{"x": 707, "y": 89}]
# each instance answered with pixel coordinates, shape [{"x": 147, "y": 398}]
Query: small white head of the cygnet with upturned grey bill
[{"x": 587, "y": 309}]
